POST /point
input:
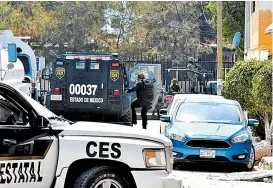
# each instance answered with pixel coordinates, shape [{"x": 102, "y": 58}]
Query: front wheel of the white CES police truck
[{"x": 99, "y": 176}]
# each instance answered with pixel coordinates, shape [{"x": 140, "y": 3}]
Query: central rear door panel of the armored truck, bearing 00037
[{"x": 87, "y": 83}]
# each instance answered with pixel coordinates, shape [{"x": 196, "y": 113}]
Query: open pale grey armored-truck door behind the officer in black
[{"x": 151, "y": 72}]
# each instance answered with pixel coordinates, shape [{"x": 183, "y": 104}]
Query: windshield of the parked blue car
[{"x": 209, "y": 113}]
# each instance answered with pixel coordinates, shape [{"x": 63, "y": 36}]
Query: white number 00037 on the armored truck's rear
[{"x": 77, "y": 89}]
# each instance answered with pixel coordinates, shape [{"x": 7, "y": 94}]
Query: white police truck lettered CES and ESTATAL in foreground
[{"x": 39, "y": 149}]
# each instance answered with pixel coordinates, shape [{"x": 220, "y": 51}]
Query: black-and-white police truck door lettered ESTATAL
[{"x": 28, "y": 156}]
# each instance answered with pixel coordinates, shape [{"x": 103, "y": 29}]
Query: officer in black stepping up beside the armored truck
[{"x": 140, "y": 101}]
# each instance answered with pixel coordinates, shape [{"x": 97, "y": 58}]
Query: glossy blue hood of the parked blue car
[{"x": 204, "y": 130}]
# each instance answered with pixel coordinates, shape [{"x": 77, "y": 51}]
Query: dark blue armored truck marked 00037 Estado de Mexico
[{"x": 83, "y": 85}]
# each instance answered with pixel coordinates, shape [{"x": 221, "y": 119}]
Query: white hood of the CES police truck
[{"x": 111, "y": 130}]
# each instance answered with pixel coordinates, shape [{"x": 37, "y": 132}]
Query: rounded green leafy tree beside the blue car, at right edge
[{"x": 250, "y": 83}]
